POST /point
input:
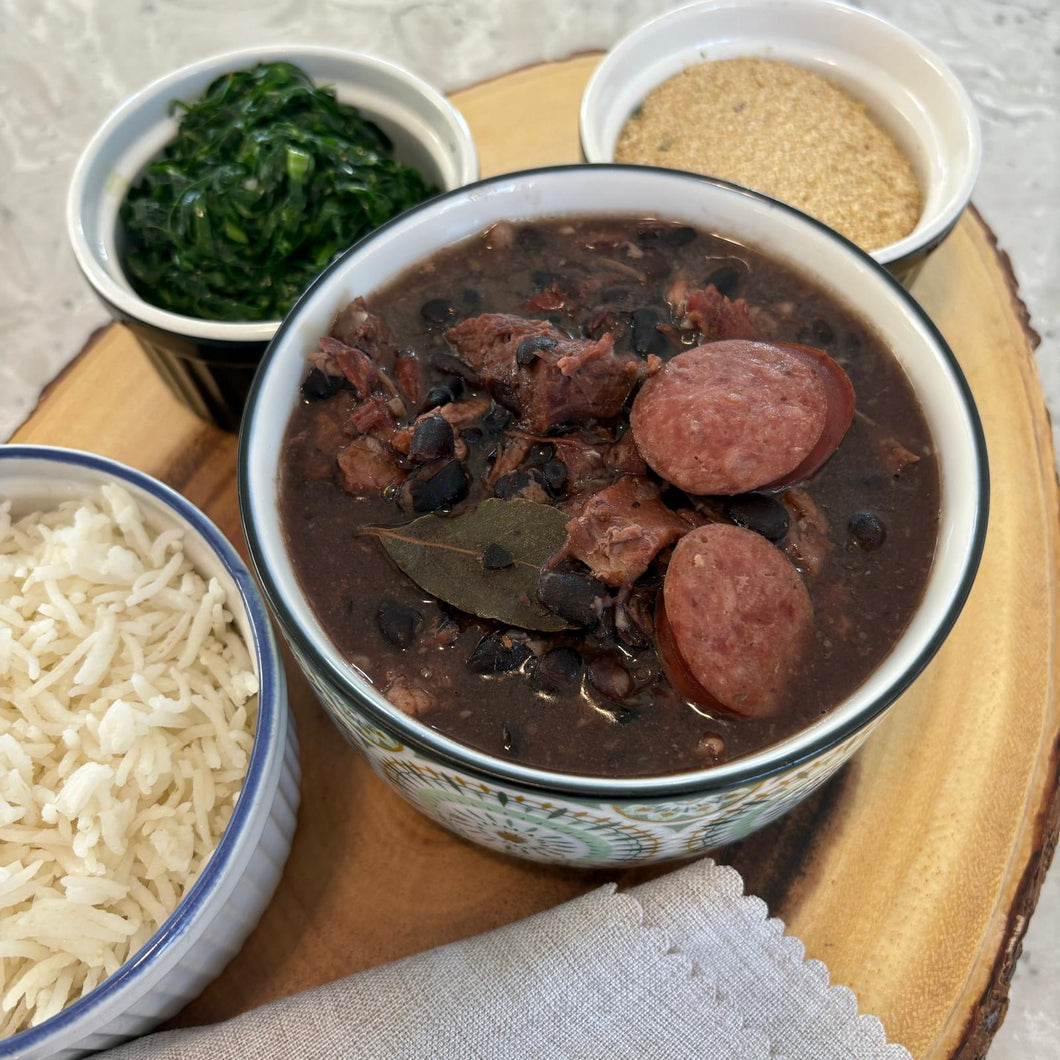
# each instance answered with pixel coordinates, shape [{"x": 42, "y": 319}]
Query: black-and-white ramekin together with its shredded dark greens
[{"x": 272, "y": 184}]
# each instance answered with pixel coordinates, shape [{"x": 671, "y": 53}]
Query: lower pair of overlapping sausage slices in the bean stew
[{"x": 734, "y": 621}]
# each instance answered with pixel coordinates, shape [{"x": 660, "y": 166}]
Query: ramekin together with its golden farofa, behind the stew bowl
[{"x": 824, "y": 107}]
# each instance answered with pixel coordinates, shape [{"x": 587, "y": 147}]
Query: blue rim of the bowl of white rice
[{"x": 268, "y": 732}]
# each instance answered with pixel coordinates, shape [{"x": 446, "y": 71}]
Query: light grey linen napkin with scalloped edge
[{"x": 682, "y": 967}]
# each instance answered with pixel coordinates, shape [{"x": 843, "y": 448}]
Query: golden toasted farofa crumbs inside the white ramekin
[{"x": 786, "y": 132}]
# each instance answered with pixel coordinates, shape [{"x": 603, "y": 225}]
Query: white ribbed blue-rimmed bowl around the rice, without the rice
[{"x": 220, "y": 911}]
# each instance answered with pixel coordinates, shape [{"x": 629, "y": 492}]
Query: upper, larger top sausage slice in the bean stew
[{"x": 732, "y": 417}]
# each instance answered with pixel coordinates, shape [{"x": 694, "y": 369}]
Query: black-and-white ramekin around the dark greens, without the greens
[{"x": 209, "y": 364}]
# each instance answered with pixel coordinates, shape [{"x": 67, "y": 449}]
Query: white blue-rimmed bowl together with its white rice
[{"x": 149, "y": 766}]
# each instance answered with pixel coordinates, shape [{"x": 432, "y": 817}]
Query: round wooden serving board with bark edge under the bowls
[{"x": 912, "y": 875}]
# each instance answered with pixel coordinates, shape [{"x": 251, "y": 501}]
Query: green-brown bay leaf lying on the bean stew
[{"x": 444, "y": 555}]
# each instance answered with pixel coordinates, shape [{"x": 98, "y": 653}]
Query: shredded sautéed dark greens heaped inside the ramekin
[{"x": 267, "y": 181}]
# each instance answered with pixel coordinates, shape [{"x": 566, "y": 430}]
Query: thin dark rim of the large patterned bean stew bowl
[{"x": 427, "y": 740}]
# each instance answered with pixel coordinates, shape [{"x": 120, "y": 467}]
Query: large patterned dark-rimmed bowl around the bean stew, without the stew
[{"x": 584, "y": 820}]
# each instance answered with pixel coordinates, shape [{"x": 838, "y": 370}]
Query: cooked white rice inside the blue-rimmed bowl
[{"x": 128, "y": 708}]
